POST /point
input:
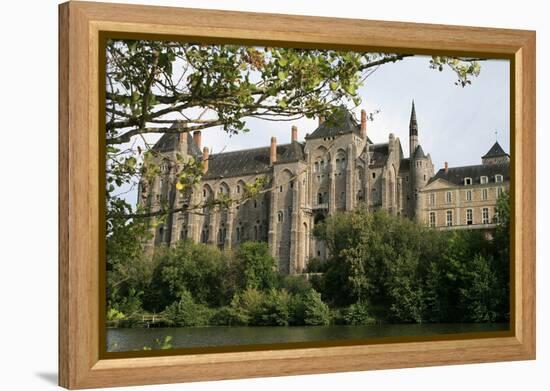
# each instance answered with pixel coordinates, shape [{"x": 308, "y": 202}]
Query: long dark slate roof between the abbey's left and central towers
[{"x": 250, "y": 161}]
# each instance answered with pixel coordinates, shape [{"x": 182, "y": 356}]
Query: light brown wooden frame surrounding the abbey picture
[{"x": 81, "y": 364}]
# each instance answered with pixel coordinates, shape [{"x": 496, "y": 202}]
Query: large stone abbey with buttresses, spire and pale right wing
[{"x": 336, "y": 168}]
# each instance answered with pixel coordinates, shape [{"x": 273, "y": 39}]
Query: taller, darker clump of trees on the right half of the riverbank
[{"x": 400, "y": 271}]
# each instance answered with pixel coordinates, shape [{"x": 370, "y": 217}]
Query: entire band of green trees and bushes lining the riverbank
[{"x": 383, "y": 268}]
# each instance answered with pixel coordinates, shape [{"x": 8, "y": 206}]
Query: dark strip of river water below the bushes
[{"x": 120, "y": 340}]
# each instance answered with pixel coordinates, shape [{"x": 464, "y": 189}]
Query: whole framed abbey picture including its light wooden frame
[{"x": 247, "y": 195}]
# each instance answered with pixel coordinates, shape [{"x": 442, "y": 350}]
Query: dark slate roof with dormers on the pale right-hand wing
[{"x": 456, "y": 175}]
